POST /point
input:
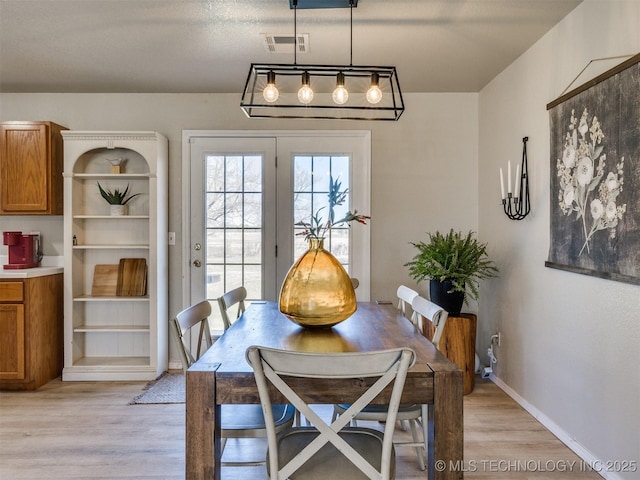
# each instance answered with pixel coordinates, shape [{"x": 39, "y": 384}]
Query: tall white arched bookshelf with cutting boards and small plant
[{"x": 109, "y": 336}]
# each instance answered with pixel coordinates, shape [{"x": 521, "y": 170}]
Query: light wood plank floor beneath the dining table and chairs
[{"x": 87, "y": 430}]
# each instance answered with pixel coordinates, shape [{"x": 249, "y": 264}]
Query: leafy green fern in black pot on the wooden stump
[{"x": 453, "y": 263}]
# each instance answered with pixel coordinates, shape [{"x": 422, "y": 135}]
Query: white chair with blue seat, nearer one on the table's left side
[{"x": 238, "y": 421}]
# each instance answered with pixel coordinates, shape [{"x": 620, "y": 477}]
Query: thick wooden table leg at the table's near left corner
[{"x": 202, "y": 446}]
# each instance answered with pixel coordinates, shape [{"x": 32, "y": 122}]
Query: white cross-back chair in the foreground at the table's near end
[{"x": 336, "y": 451}]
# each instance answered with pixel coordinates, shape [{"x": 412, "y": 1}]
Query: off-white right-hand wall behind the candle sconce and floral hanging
[{"x": 570, "y": 342}]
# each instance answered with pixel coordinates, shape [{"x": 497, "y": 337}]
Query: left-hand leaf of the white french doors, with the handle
[{"x": 232, "y": 219}]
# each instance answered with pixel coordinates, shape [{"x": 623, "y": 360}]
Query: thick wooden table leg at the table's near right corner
[{"x": 445, "y": 430}]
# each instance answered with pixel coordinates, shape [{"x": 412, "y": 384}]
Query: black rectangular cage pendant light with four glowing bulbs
[{"x": 322, "y": 91}]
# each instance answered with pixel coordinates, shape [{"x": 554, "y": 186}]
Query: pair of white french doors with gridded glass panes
[{"x": 246, "y": 191}]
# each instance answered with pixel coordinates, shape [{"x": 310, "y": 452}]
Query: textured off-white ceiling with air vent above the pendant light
[{"x": 206, "y": 46}]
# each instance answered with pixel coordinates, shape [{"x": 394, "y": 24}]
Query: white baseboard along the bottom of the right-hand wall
[{"x": 587, "y": 457}]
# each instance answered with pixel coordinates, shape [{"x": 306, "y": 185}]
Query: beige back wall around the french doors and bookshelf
[{"x": 423, "y": 166}]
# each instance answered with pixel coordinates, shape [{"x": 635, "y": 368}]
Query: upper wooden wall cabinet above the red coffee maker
[{"x": 31, "y": 160}]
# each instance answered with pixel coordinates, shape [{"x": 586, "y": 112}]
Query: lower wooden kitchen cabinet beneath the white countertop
[{"x": 31, "y": 331}]
